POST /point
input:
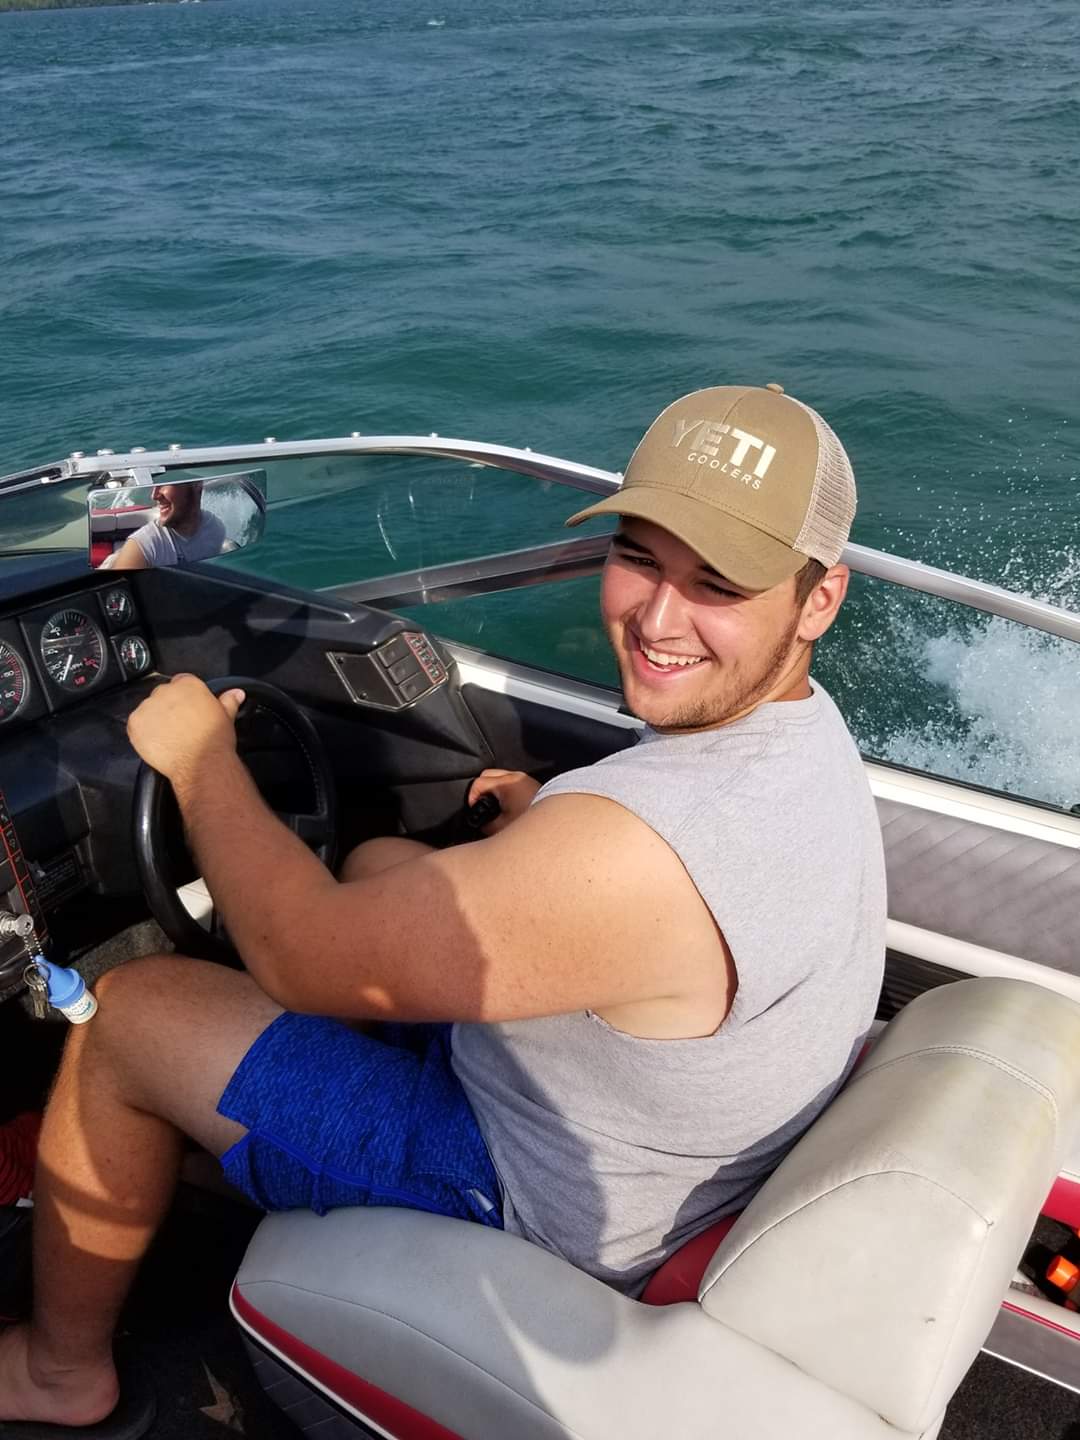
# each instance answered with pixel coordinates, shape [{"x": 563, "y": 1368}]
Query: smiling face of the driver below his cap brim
[{"x": 692, "y": 650}]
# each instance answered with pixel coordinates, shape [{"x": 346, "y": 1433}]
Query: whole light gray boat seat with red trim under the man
[{"x": 846, "y": 1304}]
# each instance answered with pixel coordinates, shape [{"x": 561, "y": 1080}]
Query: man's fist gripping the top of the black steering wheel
[{"x": 181, "y": 725}]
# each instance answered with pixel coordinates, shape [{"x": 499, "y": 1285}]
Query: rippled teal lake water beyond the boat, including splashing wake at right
[{"x": 534, "y": 225}]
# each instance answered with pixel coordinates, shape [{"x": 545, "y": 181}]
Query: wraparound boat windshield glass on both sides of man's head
[{"x": 917, "y": 676}]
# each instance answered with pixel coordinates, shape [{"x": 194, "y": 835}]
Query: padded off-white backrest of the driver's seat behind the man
[{"x": 878, "y": 1255}]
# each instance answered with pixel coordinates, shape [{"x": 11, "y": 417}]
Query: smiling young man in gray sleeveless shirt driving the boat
[{"x": 659, "y": 974}]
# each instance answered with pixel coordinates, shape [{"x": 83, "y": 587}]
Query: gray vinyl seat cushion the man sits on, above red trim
[{"x": 496, "y": 1338}]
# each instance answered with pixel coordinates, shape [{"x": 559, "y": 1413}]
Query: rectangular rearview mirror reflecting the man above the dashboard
[{"x": 179, "y": 522}]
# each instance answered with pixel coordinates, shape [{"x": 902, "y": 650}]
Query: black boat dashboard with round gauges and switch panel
[{"x": 78, "y": 653}]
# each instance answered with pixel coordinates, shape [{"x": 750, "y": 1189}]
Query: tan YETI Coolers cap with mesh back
[{"x": 751, "y": 479}]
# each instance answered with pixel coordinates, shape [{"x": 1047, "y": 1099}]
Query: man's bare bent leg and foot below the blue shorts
[{"x": 149, "y": 1069}]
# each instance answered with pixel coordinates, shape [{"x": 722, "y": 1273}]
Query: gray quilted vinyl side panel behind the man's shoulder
[{"x": 1012, "y": 894}]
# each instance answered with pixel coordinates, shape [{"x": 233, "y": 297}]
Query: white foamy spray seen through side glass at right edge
[{"x": 1016, "y": 695}]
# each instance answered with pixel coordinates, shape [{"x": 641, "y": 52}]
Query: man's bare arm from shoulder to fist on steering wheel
[{"x": 575, "y": 906}]
